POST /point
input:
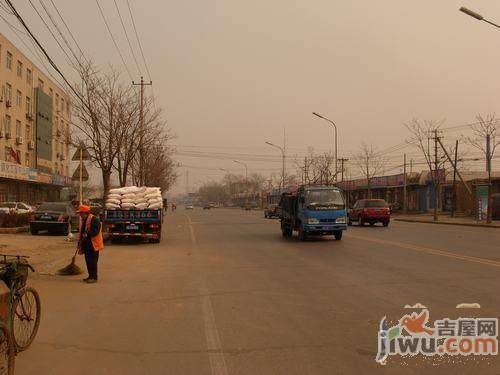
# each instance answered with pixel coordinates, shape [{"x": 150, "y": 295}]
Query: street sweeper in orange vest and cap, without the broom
[{"x": 90, "y": 242}]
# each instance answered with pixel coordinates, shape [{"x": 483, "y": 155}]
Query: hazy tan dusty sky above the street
[{"x": 233, "y": 74}]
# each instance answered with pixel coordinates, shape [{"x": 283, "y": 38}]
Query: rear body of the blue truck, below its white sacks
[{"x": 124, "y": 223}]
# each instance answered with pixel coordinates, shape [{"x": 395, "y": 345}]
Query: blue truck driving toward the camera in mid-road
[{"x": 313, "y": 210}]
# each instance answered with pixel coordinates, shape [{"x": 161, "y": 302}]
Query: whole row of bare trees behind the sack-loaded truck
[{"x": 107, "y": 119}]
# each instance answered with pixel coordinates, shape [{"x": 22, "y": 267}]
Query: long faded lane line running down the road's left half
[{"x": 215, "y": 354}]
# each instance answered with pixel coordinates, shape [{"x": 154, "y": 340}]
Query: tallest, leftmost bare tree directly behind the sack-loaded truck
[{"x": 102, "y": 117}]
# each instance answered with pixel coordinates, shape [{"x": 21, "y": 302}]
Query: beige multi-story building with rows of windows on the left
[{"x": 34, "y": 130}]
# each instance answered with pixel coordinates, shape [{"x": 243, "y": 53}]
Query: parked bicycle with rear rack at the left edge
[{"x": 24, "y": 304}]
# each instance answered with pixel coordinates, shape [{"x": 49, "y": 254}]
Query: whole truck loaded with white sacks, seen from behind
[{"x": 134, "y": 212}]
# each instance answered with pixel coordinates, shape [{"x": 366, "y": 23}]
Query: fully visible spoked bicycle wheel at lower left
[{"x": 25, "y": 318}]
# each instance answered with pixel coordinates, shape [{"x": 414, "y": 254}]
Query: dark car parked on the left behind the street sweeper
[{"x": 54, "y": 217}]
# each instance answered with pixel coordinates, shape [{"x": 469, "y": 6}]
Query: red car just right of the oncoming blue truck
[{"x": 370, "y": 211}]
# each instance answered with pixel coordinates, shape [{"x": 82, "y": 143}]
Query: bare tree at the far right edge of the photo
[{"x": 486, "y": 138}]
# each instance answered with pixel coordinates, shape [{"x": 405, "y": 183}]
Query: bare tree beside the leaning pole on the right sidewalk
[{"x": 421, "y": 134}]
